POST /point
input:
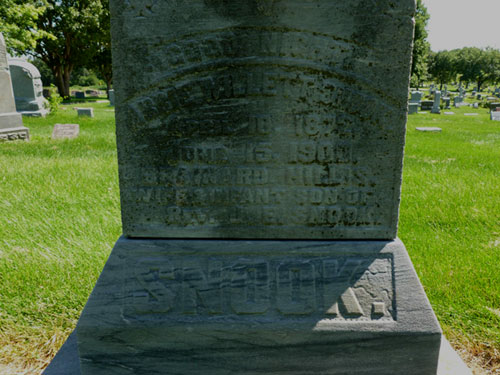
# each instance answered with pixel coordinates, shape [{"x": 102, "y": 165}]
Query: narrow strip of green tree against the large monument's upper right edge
[{"x": 421, "y": 46}]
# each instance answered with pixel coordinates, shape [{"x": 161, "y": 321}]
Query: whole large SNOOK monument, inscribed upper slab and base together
[{"x": 260, "y": 159}]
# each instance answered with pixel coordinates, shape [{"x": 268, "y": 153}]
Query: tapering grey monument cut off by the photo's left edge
[{"x": 11, "y": 122}]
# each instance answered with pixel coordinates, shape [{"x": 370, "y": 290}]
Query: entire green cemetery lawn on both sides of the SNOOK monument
[{"x": 59, "y": 209}]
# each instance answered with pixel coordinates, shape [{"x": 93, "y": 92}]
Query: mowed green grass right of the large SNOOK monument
[{"x": 450, "y": 223}]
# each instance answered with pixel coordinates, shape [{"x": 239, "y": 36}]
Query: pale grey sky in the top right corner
[{"x": 463, "y": 23}]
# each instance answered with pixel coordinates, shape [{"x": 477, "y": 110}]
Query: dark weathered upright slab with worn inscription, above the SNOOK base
[{"x": 261, "y": 119}]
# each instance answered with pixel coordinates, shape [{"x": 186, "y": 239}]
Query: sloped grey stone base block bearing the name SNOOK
[{"x": 246, "y": 307}]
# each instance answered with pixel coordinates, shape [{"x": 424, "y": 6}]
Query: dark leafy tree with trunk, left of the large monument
[{"x": 71, "y": 28}]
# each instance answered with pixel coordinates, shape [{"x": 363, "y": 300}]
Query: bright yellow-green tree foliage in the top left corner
[{"x": 18, "y": 19}]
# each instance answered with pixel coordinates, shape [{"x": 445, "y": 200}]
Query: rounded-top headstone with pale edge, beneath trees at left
[{"x": 28, "y": 88}]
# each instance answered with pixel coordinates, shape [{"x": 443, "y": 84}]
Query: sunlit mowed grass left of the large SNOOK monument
[{"x": 59, "y": 215}]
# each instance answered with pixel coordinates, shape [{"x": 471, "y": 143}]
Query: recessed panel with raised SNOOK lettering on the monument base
[{"x": 342, "y": 288}]
